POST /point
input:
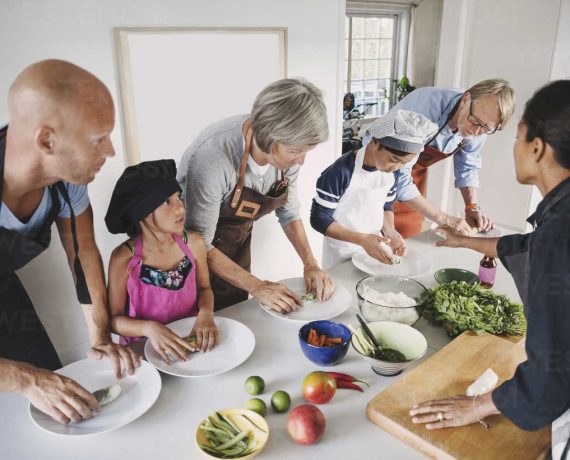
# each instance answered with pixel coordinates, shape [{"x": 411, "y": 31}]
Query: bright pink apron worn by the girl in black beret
[{"x": 150, "y": 302}]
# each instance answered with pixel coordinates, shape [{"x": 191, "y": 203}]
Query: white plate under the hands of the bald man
[{"x": 138, "y": 394}]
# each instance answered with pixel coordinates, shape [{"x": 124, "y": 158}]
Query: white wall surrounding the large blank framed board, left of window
[{"x": 81, "y": 31}]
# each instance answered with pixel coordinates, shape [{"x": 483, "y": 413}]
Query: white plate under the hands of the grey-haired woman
[{"x": 313, "y": 311}]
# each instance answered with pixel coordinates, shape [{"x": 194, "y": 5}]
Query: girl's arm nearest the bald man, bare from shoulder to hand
[{"x": 163, "y": 340}]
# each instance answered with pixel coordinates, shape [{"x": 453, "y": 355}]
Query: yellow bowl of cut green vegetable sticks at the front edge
[{"x": 232, "y": 433}]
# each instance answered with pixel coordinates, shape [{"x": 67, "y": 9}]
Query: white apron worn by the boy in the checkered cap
[{"x": 360, "y": 209}]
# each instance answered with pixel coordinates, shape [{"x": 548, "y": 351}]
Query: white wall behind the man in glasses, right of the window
[{"x": 512, "y": 39}]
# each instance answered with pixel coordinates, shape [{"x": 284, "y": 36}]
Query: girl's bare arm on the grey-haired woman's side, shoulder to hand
[{"x": 204, "y": 328}]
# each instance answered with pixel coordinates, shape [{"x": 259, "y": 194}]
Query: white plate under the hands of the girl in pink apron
[{"x": 235, "y": 343}]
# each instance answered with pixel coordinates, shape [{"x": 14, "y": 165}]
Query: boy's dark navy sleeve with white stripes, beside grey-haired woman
[{"x": 331, "y": 186}]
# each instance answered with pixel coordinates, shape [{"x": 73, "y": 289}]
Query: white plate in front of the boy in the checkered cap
[{"x": 413, "y": 263}]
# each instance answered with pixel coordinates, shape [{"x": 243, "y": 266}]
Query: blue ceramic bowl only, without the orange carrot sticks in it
[{"x": 325, "y": 356}]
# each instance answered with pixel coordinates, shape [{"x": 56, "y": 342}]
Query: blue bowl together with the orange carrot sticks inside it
[{"x": 324, "y": 342}]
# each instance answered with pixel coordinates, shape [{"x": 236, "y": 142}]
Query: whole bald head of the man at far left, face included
[{"x": 61, "y": 117}]
